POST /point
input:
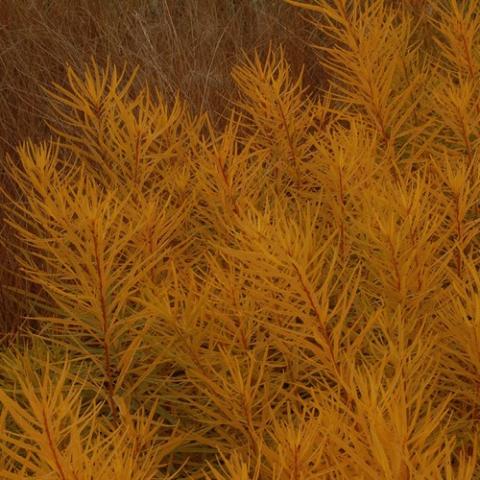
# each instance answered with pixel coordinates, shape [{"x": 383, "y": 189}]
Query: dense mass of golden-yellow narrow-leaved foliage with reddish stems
[{"x": 295, "y": 296}]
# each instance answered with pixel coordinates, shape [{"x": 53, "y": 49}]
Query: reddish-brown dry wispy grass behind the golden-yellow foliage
[{"x": 185, "y": 45}]
